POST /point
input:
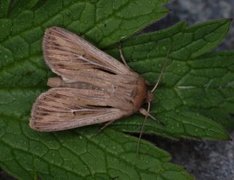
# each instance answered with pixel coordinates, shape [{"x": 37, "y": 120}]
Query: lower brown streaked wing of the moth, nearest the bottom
[{"x": 66, "y": 108}]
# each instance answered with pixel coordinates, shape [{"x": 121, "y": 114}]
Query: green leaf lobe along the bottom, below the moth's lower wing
[{"x": 80, "y": 154}]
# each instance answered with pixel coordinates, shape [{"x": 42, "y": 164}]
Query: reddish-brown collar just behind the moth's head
[{"x": 141, "y": 94}]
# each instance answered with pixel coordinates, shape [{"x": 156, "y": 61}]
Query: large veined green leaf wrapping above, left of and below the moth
[{"x": 76, "y": 154}]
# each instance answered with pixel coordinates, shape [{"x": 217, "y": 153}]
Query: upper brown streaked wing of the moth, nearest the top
[{"x": 66, "y": 54}]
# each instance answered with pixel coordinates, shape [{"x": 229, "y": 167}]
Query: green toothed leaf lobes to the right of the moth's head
[{"x": 192, "y": 83}]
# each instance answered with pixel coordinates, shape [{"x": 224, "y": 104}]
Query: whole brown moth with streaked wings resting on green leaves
[{"x": 92, "y": 87}]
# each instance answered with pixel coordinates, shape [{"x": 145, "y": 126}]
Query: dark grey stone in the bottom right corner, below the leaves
[{"x": 205, "y": 160}]
